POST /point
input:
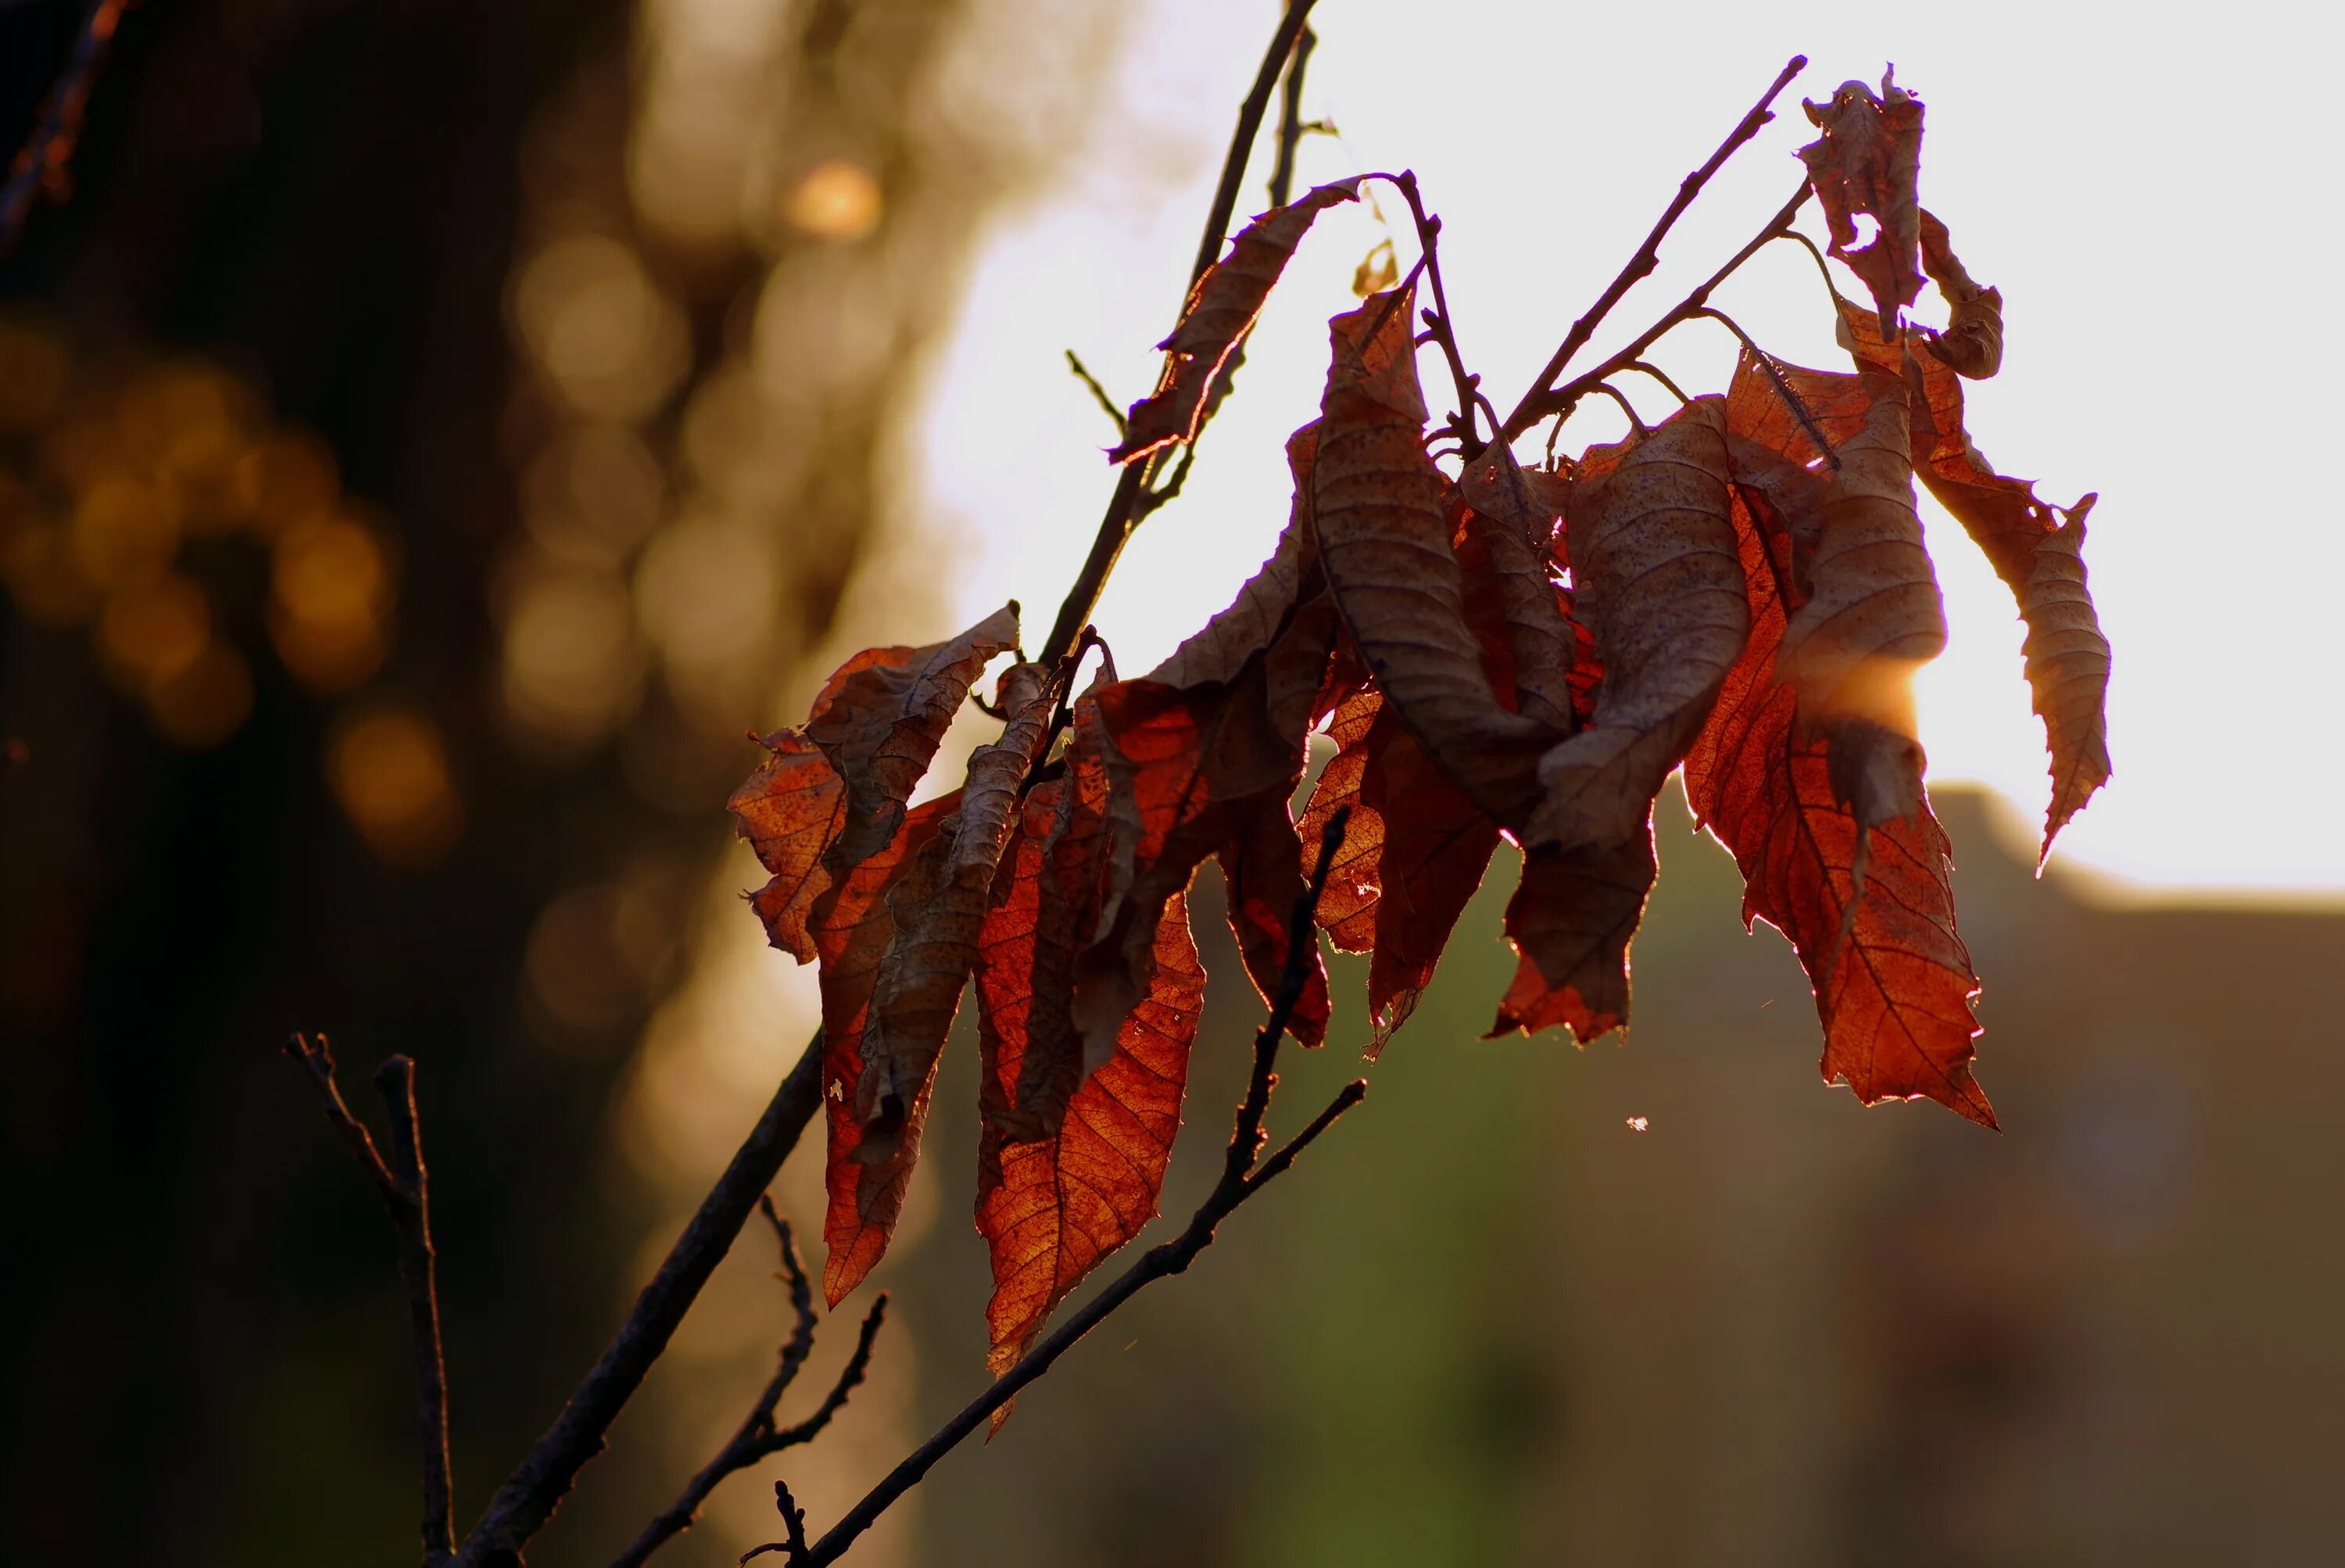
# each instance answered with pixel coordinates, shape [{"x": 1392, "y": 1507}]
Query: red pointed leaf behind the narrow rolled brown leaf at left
[{"x": 864, "y": 1175}]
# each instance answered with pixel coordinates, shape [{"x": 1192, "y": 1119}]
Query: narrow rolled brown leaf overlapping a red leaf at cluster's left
[{"x": 939, "y": 908}]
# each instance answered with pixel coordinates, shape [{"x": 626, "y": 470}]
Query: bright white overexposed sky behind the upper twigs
[{"x": 2154, "y": 198}]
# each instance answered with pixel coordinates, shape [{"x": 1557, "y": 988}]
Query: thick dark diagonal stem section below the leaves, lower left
[{"x": 533, "y": 1492}]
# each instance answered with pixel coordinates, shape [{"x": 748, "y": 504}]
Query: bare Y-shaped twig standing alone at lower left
[{"x": 407, "y": 1197}]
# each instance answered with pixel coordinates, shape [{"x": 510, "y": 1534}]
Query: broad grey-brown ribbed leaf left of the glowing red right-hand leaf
[{"x": 1661, "y": 585}]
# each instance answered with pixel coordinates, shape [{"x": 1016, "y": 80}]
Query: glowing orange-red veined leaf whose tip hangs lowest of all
[{"x": 1052, "y": 1211}]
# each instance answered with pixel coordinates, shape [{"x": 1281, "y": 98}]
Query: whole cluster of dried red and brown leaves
[{"x": 1497, "y": 653}]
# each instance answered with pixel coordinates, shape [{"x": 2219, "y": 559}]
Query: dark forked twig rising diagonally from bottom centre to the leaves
[{"x": 1242, "y": 1178}]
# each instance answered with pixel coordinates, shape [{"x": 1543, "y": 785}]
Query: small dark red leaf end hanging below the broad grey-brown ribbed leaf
[{"x": 1572, "y": 920}]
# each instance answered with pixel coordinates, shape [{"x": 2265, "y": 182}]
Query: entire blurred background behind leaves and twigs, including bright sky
[{"x": 430, "y": 437}]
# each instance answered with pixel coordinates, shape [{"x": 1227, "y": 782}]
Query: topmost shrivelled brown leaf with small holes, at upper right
[{"x": 1870, "y": 163}]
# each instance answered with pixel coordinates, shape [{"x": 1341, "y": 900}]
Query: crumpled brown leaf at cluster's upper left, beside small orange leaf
[{"x": 883, "y": 718}]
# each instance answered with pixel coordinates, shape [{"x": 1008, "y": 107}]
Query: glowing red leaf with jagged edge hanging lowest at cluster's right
[{"x": 1891, "y": 976}]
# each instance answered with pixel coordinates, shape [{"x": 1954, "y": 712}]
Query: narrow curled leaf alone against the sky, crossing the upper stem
[{"x": 1218, "y": 315}]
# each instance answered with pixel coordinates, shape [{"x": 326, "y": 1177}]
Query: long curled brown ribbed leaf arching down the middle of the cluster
[{"x": 1382, "y": 521}]
